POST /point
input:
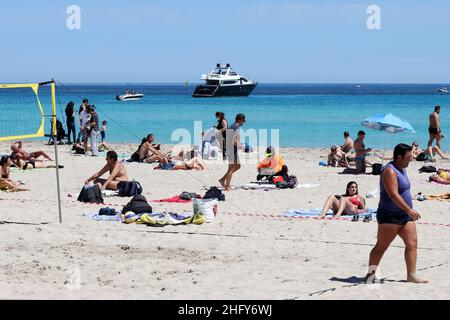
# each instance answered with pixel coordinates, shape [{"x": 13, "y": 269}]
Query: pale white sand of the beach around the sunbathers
[{"x": 249, "y": 252}]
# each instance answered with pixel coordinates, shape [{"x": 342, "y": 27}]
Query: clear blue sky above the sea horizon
[{"x": 270, "y": 41}]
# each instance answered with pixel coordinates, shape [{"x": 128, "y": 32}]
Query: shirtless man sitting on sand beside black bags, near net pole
[{"x": 116, "y": 170}]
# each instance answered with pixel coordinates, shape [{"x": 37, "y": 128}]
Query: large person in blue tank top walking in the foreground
[{"x": 395, "y": 214}]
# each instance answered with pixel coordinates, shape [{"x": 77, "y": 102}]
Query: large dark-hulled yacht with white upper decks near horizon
[{"x": 223, "y": 81}]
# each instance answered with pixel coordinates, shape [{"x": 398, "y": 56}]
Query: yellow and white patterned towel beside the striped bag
[{"x": 164, "y": 218}]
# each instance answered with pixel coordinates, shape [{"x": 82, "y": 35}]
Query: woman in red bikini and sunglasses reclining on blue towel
[{"x": 350, "y": 203}]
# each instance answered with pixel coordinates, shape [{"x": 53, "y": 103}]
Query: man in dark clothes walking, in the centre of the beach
[{"x": 233, "y": 144}]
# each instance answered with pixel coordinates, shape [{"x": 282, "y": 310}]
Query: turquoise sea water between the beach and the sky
[{"x": 307, "y": 115}]
